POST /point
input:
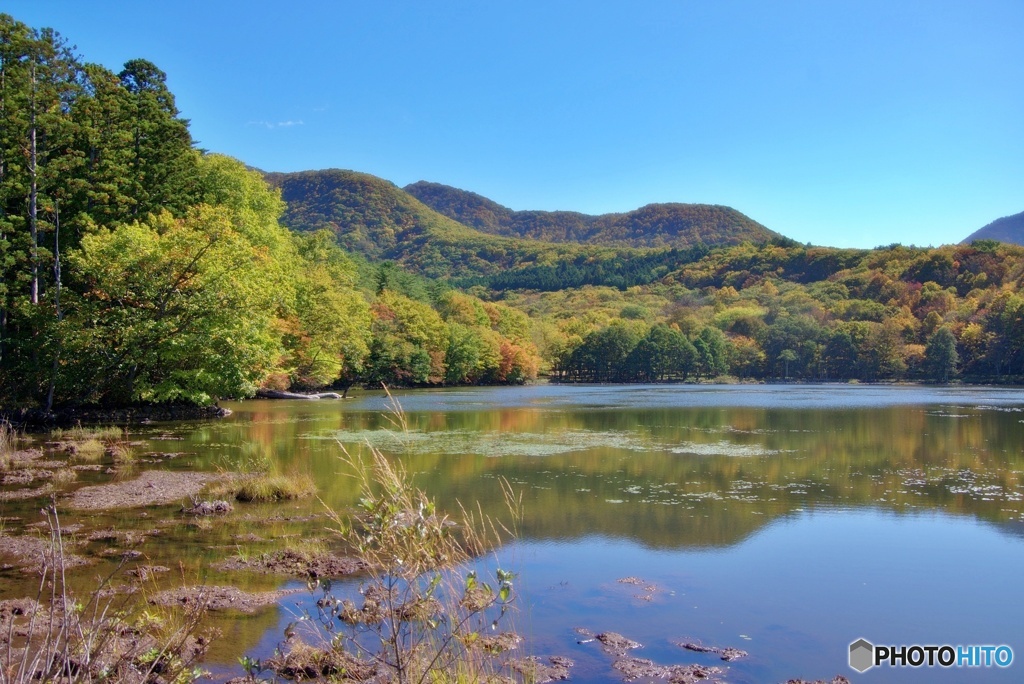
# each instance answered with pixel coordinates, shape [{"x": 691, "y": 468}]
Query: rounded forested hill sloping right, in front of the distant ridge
[{"x": 374, "y": 219}]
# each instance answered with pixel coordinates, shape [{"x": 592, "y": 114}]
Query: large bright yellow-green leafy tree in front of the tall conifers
[{"x": 172, "y": 311}]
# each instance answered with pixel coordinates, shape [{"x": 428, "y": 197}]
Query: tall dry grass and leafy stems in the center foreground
[{"x": 434, "y": 617}]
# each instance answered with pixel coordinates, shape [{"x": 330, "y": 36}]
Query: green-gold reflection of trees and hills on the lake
[{"x": 613, "y": 471}]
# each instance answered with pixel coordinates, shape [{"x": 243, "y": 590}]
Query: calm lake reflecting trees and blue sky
[{"x": 785, "y": 521}]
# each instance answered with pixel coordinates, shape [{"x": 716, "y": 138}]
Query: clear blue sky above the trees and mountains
[{"x": 849, "y": 123}]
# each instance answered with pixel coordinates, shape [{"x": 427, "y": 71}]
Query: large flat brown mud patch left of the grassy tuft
[{"x": 152, "y": 488}]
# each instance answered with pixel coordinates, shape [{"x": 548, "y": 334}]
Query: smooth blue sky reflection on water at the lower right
[{"x": 794, "y": 595}]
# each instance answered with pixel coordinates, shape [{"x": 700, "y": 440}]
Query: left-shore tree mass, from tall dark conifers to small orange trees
[{"x": 136, "y": 269}]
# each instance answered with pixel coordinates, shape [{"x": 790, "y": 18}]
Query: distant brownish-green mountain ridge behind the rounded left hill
[{"x": 677, "y": 226}]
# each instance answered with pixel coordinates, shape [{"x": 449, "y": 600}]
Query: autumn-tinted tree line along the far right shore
[{"x": 790, "y": 312}]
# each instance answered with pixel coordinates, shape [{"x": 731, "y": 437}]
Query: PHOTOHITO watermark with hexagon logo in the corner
[{"x": 865, "y": 656}]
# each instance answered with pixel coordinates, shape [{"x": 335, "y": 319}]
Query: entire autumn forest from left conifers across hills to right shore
[{"x": 137, "y": 269}]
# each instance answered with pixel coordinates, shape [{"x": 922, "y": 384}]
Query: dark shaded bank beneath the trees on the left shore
[{"x": 39, "y": 420}]
